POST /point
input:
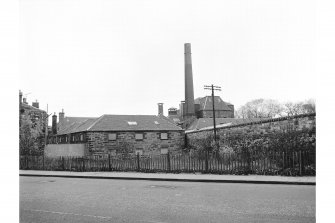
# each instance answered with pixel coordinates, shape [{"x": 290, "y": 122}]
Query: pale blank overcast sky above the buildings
[{"x": 123, "y": 57}]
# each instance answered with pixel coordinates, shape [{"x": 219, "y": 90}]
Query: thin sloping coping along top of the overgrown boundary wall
[{"x": 254, "y": 122}]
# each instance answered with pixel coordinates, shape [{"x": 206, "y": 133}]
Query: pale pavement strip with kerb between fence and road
[{"x": 183, "y": 177}]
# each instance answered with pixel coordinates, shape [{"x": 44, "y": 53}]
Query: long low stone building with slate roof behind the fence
[{"x": 115, "y": 134}]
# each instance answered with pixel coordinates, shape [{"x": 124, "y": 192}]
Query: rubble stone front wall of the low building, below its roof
[{"x": 99, "y": 142}]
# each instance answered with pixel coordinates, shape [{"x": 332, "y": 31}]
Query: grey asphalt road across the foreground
[{"x": 45, "y": 199}]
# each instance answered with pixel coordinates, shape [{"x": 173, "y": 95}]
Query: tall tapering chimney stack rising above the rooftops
[{"x": 189, "y": 92}]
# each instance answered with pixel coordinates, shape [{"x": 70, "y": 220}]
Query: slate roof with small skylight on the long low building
[{"x": 119, "y": 123}]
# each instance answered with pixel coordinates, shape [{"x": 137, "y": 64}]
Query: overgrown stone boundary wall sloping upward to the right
[{"x": 294, "y": 132}]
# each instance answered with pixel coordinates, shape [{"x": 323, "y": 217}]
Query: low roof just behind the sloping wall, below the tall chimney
[{"x": 208, "y": 122}]
